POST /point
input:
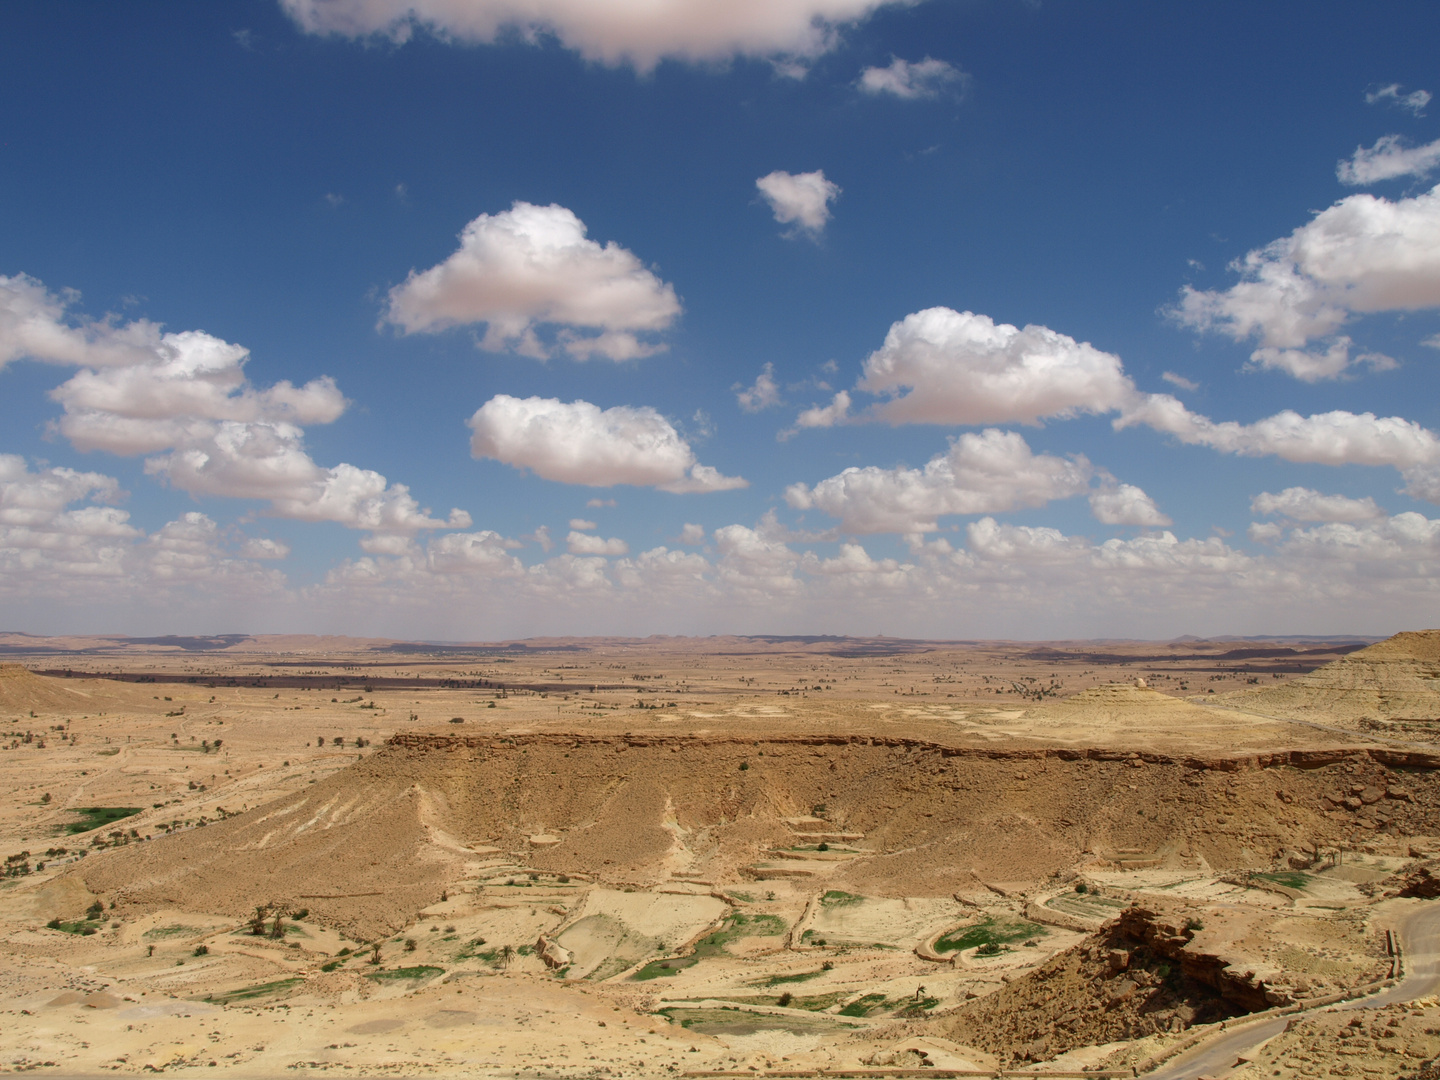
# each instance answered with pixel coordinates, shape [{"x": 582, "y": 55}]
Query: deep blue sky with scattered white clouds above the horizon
[{"x": 248, "y": 364}]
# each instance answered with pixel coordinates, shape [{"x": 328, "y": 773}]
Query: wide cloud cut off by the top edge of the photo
[{"x": 637, "y": 32}]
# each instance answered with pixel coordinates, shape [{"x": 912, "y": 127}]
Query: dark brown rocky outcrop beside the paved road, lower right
[{"x": 1141, "y": 974}]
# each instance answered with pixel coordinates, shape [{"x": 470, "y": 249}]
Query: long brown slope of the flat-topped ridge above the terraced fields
[{"x": 371, "y": 846}]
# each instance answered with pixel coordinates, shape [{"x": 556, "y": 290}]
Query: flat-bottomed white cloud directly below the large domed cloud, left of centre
[{"x": 584, "y": 444}]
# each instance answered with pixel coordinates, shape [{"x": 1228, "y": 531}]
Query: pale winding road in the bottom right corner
[{"x": 1419, "y": 932}]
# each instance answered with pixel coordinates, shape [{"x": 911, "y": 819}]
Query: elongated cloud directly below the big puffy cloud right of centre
[{"x": 983, "y": 473}]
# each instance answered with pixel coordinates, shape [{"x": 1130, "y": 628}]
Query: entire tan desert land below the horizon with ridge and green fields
[{"x": 721, "y": 856}]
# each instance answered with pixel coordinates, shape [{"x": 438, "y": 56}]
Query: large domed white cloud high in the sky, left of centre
[{"x": 534, "y": 266}]
